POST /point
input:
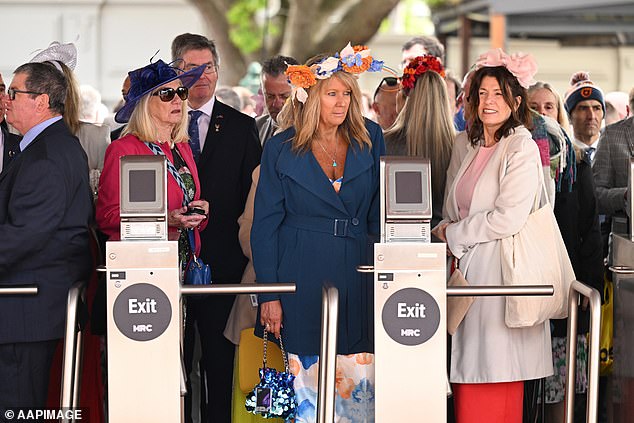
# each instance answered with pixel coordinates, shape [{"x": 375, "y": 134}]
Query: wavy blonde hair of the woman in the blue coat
[{"x": 305, "y": 116}]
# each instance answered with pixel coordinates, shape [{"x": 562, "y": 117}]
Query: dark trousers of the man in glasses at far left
[{"x": 24, "y": 373}]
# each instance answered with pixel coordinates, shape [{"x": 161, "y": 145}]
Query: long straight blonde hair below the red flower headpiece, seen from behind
[{"x": 426, "y": 124}]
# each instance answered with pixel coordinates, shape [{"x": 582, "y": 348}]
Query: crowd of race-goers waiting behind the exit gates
[{"x": 292, "y": 194}]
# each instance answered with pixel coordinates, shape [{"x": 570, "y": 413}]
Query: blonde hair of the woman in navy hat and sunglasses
[{"x": 143, "y": 127}]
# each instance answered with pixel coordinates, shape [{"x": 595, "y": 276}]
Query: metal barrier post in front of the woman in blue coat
[{"x": 328, "y": 355}]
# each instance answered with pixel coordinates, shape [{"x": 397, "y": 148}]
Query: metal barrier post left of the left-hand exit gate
[{"x": 71, "y": 361}]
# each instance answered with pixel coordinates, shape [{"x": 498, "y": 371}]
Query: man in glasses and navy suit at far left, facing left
[{"x": 45, "y": 210}]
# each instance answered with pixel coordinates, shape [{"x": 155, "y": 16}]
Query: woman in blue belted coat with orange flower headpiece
[{"x": 316, "y": 205}]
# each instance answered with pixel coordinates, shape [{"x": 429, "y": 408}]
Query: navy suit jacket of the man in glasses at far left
[{"x": 45, "y": 210}]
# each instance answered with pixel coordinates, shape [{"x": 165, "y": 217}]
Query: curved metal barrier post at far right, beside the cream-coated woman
[{"x": 577, "y": 289}]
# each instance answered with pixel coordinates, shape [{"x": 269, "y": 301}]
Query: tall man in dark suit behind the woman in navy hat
[{"x": 226, "y": 148}]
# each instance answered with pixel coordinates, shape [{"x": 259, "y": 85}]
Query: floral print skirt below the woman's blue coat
[{"x": 354, "y": 399}]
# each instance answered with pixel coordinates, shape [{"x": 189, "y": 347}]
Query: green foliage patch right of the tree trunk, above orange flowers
[{"x": 244, "y": 32}]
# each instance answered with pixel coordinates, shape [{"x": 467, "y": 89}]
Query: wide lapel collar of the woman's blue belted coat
[{"x": 304, "y": 169}]
